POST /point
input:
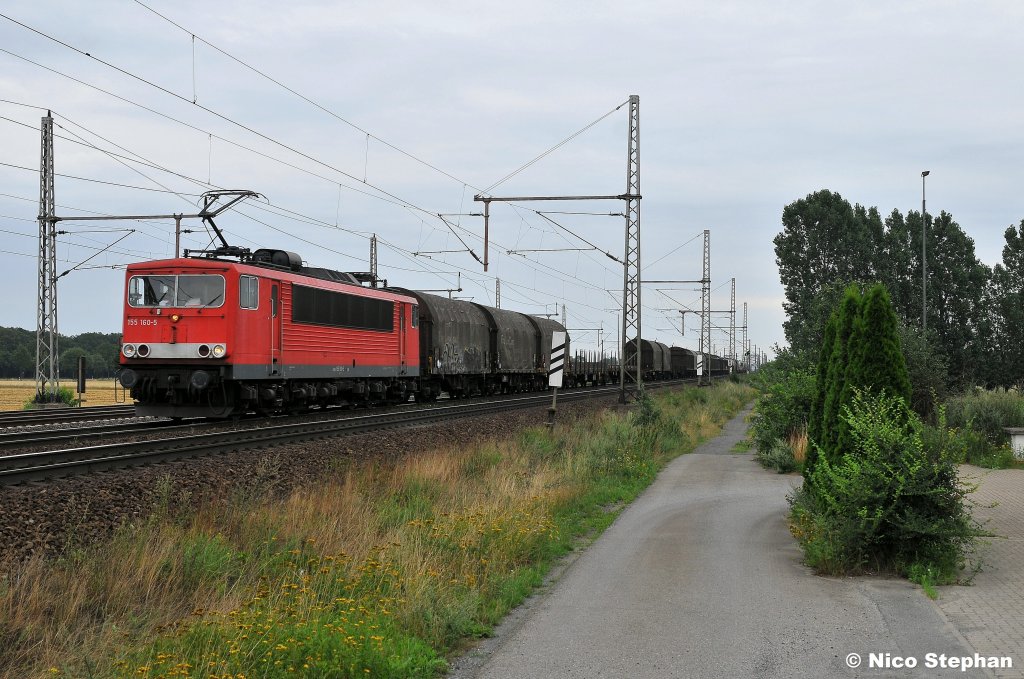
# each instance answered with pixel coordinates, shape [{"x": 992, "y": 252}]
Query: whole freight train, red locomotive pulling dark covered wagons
[{"x": 219, "y": 336}]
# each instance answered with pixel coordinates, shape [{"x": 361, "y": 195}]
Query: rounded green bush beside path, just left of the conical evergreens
[{"x": 783, "y": 409}]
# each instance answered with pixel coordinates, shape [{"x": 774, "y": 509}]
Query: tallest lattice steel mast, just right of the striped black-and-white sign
[{"x": 631, "y": 267}]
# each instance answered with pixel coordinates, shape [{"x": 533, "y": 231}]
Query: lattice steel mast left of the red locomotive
[{"x": 48, "y": 365}]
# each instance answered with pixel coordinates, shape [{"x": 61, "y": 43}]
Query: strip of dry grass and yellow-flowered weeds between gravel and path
[{"x": 383, "y": 569}]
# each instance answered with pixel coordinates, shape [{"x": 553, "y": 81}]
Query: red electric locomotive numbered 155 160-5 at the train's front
[{"x": 212, "y": 337}]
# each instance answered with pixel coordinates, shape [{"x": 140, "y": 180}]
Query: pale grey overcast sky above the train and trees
[{"x": 745, "y": 107}]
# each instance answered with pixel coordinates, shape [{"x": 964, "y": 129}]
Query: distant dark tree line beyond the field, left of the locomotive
[{"x": 18, "y": 354}]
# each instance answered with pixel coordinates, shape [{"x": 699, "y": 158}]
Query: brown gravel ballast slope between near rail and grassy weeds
[{"x": 50, "y": 519}]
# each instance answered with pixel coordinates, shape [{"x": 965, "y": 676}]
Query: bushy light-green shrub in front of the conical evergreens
[{"x": 886, "y": 504}]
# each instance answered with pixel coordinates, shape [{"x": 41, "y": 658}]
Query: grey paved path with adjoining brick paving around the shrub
[{"x": 701, "y": 578}]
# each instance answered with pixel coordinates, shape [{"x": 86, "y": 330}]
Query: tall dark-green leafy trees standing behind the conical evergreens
[{"x": 975, "y": 312}]
